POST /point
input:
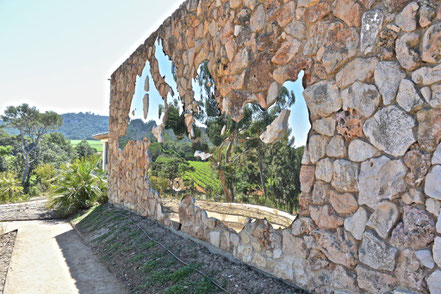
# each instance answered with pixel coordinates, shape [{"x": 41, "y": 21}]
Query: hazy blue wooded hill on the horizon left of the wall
[{"x": 83, "y": 125}]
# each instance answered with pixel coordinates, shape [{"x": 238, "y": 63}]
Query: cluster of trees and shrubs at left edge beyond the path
[{"x": 32, "y": 158}]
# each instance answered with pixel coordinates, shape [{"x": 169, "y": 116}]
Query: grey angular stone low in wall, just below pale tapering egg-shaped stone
[{"x": 376, "y": 253}]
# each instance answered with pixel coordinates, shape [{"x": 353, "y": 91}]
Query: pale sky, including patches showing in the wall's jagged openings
[{"x": 58, "y": 54}]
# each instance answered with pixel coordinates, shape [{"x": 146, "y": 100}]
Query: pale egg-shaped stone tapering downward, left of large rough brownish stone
[{"x": 383, "y": 218}]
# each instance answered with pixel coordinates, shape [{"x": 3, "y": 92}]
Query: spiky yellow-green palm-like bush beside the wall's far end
[{"x": 79, "y": 186}]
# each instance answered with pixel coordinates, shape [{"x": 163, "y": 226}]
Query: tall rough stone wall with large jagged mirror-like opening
[{"x": 371, "y": 177}]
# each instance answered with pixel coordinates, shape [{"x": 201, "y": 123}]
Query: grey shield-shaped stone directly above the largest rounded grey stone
[{"x": 388, "y": 76}]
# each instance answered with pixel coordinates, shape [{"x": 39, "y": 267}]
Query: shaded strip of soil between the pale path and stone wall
[{"x": 145, "y": 267}]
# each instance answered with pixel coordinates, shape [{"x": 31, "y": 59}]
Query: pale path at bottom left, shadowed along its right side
[{"x": 49, "y": 257}]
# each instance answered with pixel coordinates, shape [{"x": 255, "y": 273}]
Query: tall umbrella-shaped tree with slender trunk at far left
[{"x": 32, "y": 125}]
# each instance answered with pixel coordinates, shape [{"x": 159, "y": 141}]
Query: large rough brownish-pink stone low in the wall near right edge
[{"x": 416, "y": 231}]
